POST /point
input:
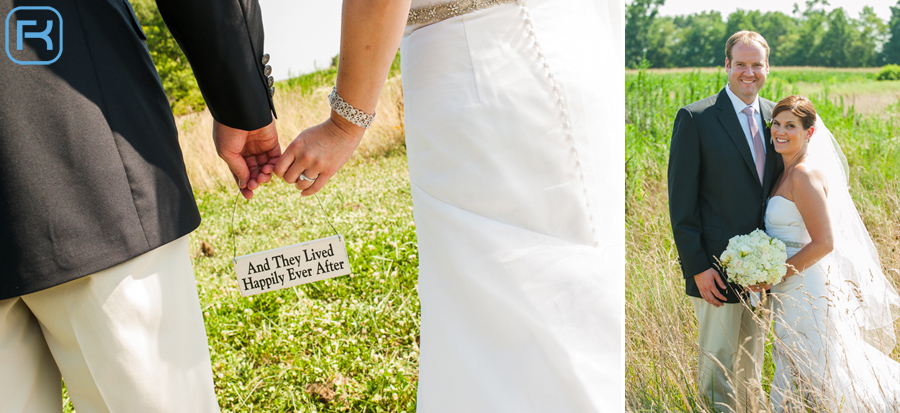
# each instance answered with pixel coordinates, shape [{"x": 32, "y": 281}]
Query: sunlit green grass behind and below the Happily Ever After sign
[{"x": 345, "y": 344}]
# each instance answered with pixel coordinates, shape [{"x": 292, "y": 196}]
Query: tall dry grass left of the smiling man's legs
[{"x": 660, "y": 329}]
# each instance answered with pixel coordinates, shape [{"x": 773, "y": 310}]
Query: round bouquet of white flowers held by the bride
[{"x": 754, "y": 258}]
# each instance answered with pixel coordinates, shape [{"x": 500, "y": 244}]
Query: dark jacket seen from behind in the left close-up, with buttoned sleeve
[{"x": 91, "y": 173}]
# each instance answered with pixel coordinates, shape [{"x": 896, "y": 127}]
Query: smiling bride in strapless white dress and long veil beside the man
[{"x": 834, "y": 310}]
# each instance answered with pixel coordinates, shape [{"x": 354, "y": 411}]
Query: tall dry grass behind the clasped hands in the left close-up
[{"x": 297, "y": 110}]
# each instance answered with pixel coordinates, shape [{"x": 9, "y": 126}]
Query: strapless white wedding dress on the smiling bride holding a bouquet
[{"x": 822, "y": 358}]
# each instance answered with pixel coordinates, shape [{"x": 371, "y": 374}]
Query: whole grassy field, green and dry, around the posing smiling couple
[{"x": 661, "y": 330}]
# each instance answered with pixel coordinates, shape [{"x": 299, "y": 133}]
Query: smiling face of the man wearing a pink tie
[{"x": 747, "y": 70}]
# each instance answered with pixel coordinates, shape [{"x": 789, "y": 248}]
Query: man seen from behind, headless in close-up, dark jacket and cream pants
[{"x": 96, "y": 284}]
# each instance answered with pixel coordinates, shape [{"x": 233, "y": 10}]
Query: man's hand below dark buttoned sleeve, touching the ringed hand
[{"x": 250, "y": 155}]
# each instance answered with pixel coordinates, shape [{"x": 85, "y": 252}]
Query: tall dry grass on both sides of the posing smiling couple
[{"x": 661, "y": 328}]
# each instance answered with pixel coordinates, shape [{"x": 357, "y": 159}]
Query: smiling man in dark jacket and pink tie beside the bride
[{"x": 722, "y": 166}]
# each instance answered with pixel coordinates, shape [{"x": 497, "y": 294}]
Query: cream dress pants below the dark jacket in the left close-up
[{"x": 130, "y": 338}]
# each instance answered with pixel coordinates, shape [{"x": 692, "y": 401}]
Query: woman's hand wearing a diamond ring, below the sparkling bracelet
[{"x": 317, "y": 153}]
